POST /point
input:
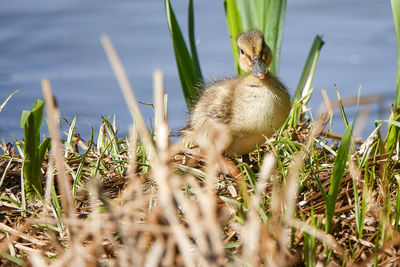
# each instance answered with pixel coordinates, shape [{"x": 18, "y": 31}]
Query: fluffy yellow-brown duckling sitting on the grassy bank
[{"x": 248, "y": 109}]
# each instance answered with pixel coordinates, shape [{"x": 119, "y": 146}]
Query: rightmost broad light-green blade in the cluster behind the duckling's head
[{"x": 273, "y": 30}]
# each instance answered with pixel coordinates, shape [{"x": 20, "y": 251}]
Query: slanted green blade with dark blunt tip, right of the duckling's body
[{"x": 309, "y": 68}]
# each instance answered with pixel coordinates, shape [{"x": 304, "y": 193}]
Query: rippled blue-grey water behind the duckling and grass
[{"x": 60, "y": 40}]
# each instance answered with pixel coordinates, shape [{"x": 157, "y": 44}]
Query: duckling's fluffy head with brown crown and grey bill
[{"x": 254, "y": 54}]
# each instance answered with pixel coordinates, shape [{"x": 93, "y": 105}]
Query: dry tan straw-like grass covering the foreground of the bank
[{"x": 172, "y": 218}]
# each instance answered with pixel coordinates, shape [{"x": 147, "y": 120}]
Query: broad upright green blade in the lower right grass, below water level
[{"x": 337, "y": 175}]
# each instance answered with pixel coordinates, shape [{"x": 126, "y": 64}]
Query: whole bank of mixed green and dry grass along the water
[{"x": 307, "y": 197}]
